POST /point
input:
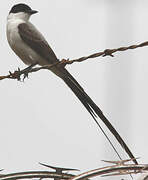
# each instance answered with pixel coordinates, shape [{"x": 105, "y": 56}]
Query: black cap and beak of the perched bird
[{"x": 22, "y": 8}]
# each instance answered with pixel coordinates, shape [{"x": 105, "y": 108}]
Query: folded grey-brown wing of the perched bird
[{"x": 35, "y": 40}]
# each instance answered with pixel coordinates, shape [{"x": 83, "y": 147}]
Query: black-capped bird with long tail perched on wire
[{"x": 32, "y": 48}]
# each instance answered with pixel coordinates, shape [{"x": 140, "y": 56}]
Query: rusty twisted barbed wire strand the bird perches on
[{"x": 107, "y": 52}]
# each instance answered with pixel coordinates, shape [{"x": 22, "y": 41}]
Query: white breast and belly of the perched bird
[{"x": 26, "y": 54}]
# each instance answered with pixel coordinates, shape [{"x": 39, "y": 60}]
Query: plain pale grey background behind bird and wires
[{"x": 41, "y": 119}]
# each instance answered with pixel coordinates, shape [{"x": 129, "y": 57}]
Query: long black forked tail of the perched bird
[{"x": 95, "y": 111}]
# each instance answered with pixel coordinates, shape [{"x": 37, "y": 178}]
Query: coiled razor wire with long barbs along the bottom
[{"x": 117, "y": 168}]
